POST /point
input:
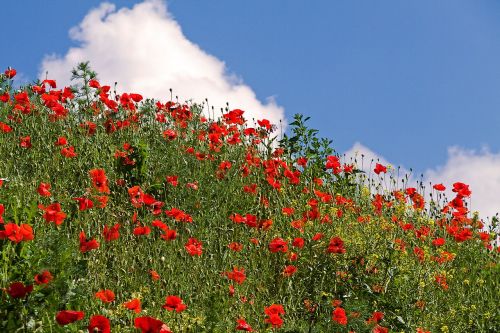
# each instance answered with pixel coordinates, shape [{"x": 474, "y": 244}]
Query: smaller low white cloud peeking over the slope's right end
[{"x": 479, "y": 169}]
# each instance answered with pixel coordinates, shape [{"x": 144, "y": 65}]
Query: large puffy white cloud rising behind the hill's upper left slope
[{"x": 145, "y": 51}]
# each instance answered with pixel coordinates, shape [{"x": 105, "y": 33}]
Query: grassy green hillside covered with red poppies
[{"x": 125, "y": 214}]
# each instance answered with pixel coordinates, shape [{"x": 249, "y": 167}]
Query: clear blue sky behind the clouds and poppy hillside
[{"x": 405, "y": 79}]
